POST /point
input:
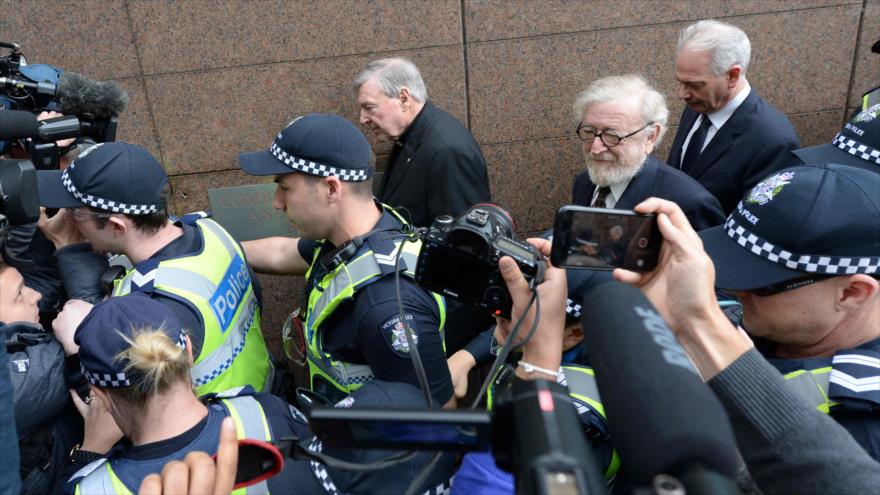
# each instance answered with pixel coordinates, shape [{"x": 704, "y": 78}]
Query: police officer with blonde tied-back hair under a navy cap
[{"x": 137, "y": 359}]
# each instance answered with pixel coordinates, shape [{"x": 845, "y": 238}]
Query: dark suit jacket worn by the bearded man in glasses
[{"x": 660, "y": 180}]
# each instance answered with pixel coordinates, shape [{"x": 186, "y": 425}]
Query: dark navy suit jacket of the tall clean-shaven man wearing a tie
[{"x": 746, "y": 149}]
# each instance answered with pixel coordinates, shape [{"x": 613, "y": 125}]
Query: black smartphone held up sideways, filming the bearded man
[{"x": 604, "y": 239}]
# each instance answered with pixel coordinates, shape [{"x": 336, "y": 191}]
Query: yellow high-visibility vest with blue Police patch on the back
[{"x": 216, "y": 283}]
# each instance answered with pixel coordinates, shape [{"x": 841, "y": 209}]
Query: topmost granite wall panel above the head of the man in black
[{"x": 241, "y": 33}]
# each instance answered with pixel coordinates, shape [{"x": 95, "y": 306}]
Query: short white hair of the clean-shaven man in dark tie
[{"x": 727, "y": 44}]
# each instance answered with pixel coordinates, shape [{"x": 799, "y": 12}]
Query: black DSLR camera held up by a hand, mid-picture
[{"x": 459, "y": 258}]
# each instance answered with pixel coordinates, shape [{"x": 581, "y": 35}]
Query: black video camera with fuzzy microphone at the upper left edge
[{"x": 90, "y": 108}]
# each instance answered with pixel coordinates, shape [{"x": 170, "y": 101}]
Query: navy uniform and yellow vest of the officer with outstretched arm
[{"x": 352, "y": 320}]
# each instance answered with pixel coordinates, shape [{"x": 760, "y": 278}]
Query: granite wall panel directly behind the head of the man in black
[{"x": 243, "y": 108}]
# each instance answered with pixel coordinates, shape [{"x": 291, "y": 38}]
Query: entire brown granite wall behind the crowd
[{"x": 209, "y": 79}]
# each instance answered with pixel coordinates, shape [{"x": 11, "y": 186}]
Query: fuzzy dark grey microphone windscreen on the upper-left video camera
[{"x": 78, "y": 95}]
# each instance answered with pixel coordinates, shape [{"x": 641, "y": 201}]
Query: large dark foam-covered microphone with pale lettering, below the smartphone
[{"x": 663, "y": 418}]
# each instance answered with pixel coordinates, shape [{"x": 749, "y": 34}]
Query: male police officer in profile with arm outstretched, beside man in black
[{"x": 348, "y": 252}]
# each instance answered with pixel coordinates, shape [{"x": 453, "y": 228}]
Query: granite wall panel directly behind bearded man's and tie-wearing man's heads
[{"x": 546, "y": 73}]
